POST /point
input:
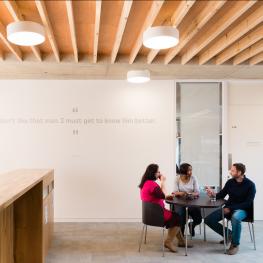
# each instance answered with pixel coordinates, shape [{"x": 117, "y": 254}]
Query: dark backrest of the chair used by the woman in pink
[{"x": 152, "y": 214}]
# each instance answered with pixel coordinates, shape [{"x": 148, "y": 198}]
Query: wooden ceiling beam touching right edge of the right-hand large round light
[{"x": 194, "y": 27}]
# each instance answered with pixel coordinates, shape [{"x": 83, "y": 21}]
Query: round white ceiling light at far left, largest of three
[{"x": 25, "y": 33}]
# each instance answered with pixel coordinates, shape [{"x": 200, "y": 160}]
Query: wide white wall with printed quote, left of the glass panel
[{"x": 97, "y": 170}]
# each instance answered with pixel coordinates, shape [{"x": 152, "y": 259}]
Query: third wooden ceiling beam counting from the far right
[{"x": 240, "y": 45}]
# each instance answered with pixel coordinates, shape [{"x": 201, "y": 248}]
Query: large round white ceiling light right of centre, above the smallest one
[{"x": 161, "y": 37}]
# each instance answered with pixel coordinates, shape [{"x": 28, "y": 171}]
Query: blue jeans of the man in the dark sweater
[{"x": 236, "y": 218}]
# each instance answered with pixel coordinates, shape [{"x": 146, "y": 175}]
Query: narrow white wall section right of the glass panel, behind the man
[{"x": 246, "y": 131}]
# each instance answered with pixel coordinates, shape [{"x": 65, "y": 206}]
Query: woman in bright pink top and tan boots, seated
[{"x": 152, "y": 192}]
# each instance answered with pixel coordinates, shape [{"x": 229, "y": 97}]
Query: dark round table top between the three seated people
[{"x": 201, "y": 201}]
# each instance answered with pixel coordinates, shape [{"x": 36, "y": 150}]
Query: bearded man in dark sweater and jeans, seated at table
[{"x": 241, "y": 192}]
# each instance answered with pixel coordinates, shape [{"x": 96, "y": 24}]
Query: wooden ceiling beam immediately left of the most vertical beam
[{"x": 72, "y": 29}]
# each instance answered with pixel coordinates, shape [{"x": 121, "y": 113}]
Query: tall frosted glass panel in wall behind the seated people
[{"x": 199, "y": 129}]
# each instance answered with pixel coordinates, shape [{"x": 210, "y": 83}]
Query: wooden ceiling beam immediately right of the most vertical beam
[{"x": 122, "y": 23}]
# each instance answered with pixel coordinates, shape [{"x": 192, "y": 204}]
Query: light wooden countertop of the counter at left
[{"x": 15, "y": 183}]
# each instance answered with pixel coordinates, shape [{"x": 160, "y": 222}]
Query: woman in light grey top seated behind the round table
[{"x": 186, "y": 183}]
